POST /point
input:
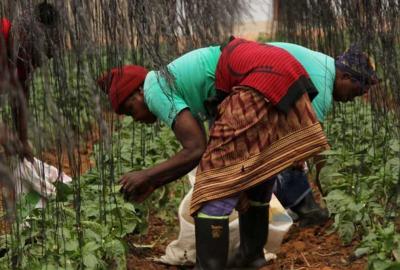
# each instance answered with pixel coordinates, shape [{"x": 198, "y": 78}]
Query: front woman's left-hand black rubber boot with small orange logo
[{"x": 212, "y": 243}]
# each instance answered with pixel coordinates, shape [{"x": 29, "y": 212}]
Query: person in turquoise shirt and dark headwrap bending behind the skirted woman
[{"x": 292, "y": 187}]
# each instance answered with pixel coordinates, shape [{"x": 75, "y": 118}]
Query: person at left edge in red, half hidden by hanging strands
[{"x": 24, "y": 46}]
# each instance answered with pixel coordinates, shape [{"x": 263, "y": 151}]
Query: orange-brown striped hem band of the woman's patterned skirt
[{"x": 223, "y": 182}]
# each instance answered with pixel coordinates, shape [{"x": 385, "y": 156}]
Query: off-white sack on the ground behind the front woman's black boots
[{"x": 182, "y": 251}]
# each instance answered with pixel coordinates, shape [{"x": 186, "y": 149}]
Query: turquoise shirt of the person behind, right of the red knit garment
[{"x": 321, "y": 69}]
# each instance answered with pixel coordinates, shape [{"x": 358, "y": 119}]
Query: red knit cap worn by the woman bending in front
[{"x": 119, "y": 83}]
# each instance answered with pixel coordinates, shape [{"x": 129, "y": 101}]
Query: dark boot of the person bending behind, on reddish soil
[{"x": 309, "y": 212}]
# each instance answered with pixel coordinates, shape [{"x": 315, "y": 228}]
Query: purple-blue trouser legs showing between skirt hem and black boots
[{"x": 261, "y": 193}]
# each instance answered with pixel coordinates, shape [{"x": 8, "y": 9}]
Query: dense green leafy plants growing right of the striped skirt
[{"x": 361, "y": 177}]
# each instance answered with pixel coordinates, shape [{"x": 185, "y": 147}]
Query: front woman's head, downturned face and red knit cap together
[{"x": 124, "y": 86}]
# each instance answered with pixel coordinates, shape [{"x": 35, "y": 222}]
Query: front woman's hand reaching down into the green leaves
[{"x": 136, "y": 186}]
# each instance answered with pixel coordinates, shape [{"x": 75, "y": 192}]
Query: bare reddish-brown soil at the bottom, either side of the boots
[{"x": 309, "y": 248}]
